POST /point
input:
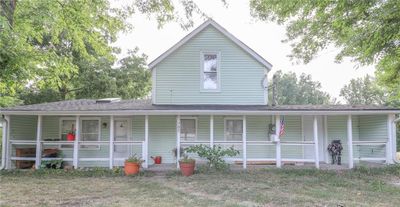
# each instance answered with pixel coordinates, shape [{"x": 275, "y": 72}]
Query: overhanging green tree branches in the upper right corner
[{"x": 366, "y": 31}]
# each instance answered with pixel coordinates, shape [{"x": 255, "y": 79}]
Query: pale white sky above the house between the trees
[{"x": 263, "y": 37}]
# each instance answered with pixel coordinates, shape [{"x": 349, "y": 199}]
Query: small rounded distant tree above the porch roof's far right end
[{"x": 364, "y": 91}]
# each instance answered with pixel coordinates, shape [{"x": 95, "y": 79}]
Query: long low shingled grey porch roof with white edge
[{"x": 90, "y": 105}]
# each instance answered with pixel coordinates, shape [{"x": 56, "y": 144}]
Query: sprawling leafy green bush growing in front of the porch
[{"x": 214, "y": 155}]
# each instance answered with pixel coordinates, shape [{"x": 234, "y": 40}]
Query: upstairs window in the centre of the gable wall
[{"x": 210, "y": 71}]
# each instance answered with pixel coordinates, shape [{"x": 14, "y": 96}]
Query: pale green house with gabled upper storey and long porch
[{"x": 209, "y": 88}]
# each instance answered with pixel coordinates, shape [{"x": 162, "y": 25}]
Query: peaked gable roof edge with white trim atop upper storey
[{"x": 207, "y": 23}]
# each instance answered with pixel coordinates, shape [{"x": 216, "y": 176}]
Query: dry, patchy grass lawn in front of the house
[{"x": 265, "y": 187}]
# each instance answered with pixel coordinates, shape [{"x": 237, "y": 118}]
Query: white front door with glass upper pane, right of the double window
[{"x": 121, "y": 133}]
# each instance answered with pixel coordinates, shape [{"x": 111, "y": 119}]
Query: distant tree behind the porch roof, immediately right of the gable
[{"x": 291, "y": 90}]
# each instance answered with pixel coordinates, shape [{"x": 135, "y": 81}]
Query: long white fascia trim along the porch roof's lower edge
[{"x": 200, "y": 112}]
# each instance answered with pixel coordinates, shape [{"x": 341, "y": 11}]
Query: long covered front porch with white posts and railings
[{"x": 364, "y": 138}]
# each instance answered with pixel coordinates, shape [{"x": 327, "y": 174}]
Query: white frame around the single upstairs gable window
[{"x": 202, "y": 53}]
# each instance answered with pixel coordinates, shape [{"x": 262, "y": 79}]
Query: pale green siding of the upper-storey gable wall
[{"x": 178, "y": 76}]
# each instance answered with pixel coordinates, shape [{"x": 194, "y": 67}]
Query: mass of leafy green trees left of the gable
[{"x": 57, "y": 50}]
